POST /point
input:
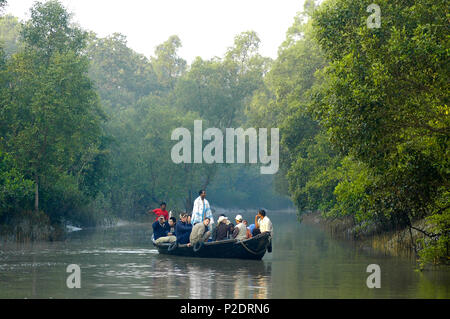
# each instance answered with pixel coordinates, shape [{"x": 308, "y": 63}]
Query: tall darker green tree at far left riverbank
[{"x": 51, "y": 119}]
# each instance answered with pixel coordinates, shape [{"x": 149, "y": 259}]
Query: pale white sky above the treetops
[{"x": 206, "y": 27}]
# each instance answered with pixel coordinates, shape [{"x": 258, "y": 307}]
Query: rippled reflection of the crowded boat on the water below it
[{"x": 210, "y": 278}]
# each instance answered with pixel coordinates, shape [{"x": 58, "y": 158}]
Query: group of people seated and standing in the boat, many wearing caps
[{"x": 198, "y": 226}]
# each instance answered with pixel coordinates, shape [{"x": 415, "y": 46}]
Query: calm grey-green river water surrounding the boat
[{"x": 120, "y": 262}]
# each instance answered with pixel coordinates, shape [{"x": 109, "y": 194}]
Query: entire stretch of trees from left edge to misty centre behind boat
[{"x": 86, "y": 122}]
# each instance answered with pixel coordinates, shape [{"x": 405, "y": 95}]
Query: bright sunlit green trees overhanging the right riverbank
[{"x": 384, "y": 101}]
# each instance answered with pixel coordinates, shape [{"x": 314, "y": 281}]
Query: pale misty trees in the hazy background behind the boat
[{"x": 146, "y": 99}]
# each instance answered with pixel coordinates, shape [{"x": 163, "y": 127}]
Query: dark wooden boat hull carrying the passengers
[{"x": 252, "y": 248}]
